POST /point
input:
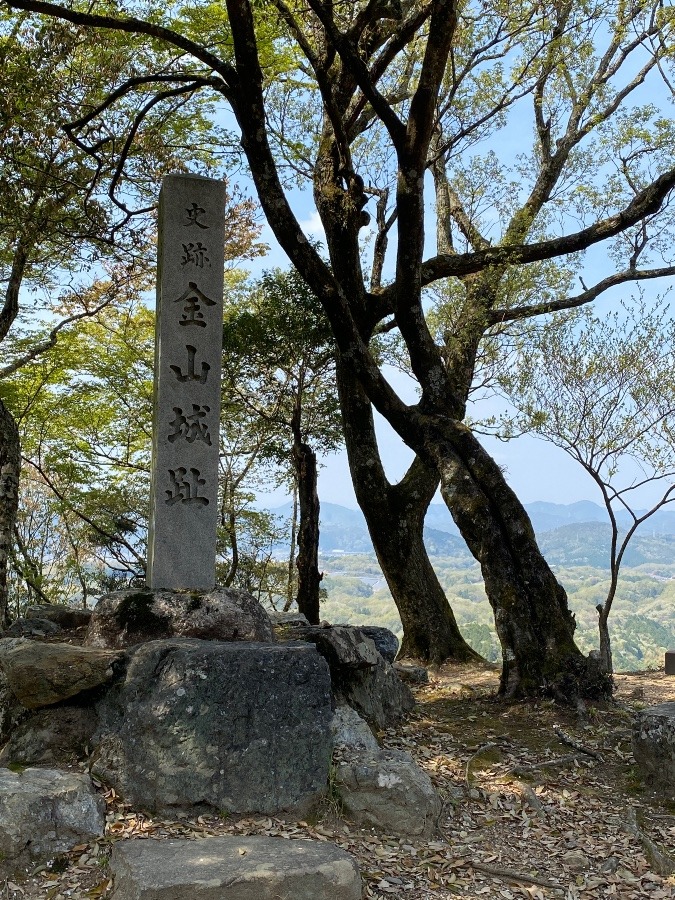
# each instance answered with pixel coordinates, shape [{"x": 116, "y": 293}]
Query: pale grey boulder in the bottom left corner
[{"x": 44, "y": 812}]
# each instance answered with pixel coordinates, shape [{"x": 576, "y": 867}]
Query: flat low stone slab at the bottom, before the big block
[{"x": 236, "y": 868}]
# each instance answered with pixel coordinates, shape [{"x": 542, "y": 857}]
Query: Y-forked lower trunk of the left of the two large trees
[{"x": 395, "y": 518}]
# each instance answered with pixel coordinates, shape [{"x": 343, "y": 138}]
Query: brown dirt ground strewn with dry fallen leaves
[{"x": 527, "y": 813}]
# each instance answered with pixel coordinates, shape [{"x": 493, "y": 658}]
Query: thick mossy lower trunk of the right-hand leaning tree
[{"x": 534, "y": 624}]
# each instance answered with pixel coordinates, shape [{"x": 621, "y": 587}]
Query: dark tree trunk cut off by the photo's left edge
[{"x": 10, "y": 463}]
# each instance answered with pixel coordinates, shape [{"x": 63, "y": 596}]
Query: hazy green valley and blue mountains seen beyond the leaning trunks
[{"x": 643, "y": 619}]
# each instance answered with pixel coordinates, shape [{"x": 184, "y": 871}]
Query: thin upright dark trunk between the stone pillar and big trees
[{"x": 309, "y": 577}]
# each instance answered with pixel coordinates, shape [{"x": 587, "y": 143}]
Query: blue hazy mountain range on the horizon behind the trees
[{"x": 574, "y": 534}]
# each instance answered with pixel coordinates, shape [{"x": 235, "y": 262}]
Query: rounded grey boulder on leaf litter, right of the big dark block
[{"x": 388, "y": 790}]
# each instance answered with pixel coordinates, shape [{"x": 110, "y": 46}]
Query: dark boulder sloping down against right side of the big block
[{"x": 360, "y": 676}]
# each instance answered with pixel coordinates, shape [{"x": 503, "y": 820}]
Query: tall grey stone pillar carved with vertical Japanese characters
[{"x": 188, "y": 347}]
